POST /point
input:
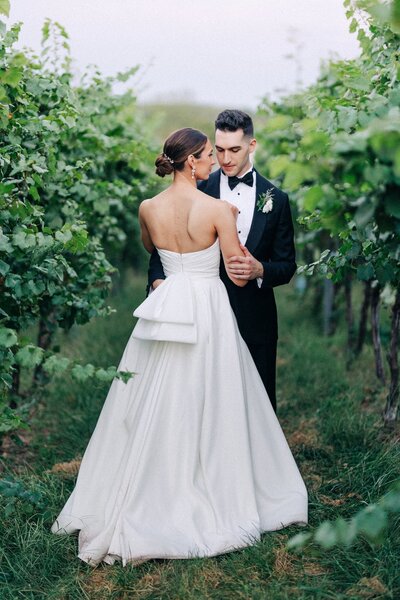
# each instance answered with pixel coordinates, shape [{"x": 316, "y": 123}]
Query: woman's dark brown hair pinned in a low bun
[{"x": 178, "y": 146}]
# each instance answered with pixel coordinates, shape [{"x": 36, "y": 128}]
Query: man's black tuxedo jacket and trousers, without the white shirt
[{"x": 270, "y": 241}]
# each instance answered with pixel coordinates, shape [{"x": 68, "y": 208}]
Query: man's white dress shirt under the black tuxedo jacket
[{"x": 244, "y": 197}]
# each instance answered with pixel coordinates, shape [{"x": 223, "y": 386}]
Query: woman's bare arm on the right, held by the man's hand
[{"x": 225, "y": 225}]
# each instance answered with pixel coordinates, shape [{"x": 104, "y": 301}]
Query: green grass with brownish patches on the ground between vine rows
[{"x": 332, "y": 420}]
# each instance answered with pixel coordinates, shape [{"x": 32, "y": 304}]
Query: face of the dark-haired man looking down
[{"x": 233, "y": 150}]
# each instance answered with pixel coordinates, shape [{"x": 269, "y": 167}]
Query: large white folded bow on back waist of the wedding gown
[{"x": 167, "y": 314}]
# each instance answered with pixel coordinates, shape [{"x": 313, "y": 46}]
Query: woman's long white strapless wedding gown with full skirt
[{"x": 188, "y": 458}]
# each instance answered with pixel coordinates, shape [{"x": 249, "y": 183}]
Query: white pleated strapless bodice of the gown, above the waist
[{"x": 203, "y": 263}]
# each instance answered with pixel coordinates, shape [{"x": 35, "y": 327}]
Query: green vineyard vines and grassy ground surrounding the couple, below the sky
[{"x": 75, "y": 161}]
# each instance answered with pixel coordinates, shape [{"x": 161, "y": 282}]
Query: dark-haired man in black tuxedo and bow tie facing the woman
[{"x": 266, "y": 235}]
